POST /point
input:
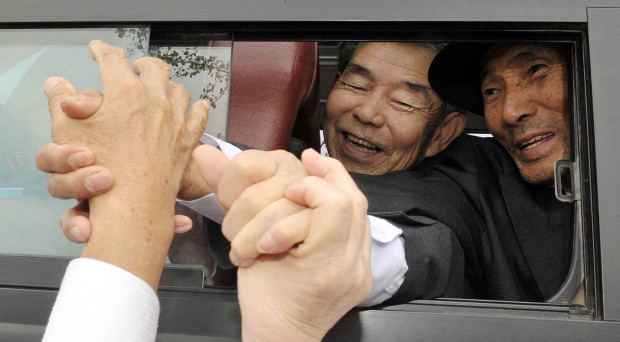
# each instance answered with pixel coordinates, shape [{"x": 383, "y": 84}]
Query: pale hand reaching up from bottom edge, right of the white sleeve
[{"x": 325, "y": 273}]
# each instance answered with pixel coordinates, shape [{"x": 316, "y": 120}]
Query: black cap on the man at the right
[{"x": 454, "y": 74}]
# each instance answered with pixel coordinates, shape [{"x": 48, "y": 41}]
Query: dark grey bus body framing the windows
[{"x": 29, "y": 284}]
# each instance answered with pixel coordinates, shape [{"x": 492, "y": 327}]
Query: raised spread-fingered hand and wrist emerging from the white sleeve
[{"x": 139, "y": 133}]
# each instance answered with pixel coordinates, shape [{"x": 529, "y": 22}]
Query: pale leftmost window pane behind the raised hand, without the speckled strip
[{"x": 28, "y": 214}]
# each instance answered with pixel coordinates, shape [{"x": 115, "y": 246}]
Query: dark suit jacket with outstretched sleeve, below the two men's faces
[{"x": 516, "y": 239}]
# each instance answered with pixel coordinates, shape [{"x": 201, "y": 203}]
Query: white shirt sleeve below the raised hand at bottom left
[{"x": 98, "y": 301}]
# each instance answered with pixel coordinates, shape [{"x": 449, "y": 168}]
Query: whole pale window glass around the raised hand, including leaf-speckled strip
[{"x": 29, "y": 216}]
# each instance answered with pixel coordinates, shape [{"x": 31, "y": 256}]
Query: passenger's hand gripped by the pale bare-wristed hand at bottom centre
[{"x": 253, "y": 177}]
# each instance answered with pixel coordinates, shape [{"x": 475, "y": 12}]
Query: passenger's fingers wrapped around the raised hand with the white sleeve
[{"x": 75, "y": 175}]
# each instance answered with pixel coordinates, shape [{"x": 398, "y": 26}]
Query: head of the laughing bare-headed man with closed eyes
[{"x": 381, "y": 114}]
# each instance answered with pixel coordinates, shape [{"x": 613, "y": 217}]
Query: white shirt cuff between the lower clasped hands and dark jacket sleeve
[{"x": 388, "y": 265}]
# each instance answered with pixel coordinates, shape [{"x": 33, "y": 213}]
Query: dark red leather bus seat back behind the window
[{"x": 273, "y": 85}]
